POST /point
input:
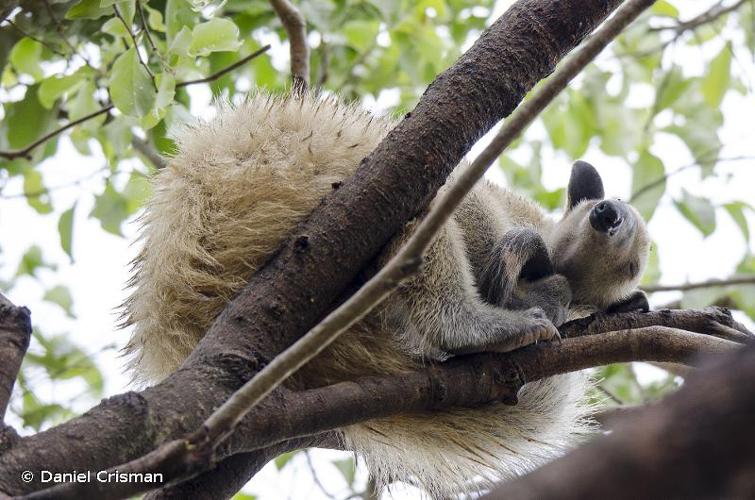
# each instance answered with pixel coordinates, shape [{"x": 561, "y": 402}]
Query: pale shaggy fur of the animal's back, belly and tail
[{"x": 237, "y": 186}]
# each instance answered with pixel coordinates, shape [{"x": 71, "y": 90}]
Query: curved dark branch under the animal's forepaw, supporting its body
[{"x": 461, "y": 382}]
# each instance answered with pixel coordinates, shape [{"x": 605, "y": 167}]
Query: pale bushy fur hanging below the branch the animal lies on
[{"x": 447, "y": 452}]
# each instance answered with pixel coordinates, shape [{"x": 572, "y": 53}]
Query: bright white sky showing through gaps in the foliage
[{"x": 97, "y": 276}]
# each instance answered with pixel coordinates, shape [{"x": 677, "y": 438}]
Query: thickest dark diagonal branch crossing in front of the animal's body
[{"x": 340, "y": 237}]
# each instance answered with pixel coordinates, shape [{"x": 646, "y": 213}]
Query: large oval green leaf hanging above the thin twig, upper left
[{"x": 131, "y": 86}]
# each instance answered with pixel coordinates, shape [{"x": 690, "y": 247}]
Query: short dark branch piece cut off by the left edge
[{"x": 15, "y": 335}]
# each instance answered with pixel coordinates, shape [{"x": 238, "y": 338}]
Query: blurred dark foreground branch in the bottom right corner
[{"x": 698, "y": 443}]
